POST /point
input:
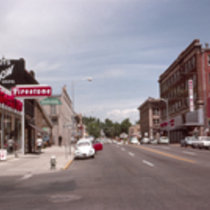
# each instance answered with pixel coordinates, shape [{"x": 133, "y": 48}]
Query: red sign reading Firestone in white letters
[{"x": 29, "y": 91}]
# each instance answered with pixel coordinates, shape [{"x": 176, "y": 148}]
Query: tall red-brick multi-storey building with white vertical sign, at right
[{"x": 185, "y": 87}]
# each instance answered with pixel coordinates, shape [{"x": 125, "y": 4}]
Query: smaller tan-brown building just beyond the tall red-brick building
[{"x": 150, "y": 118}]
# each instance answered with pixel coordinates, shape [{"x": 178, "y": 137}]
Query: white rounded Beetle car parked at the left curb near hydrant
[{"x": 84, "y": 149}]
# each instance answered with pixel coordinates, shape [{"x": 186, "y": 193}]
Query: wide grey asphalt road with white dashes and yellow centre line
[{"x": 148, "y": 177}]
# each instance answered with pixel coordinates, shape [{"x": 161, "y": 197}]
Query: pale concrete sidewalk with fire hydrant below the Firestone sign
[{"x": 37, "y": 163}]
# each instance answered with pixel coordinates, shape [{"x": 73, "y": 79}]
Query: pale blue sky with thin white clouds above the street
[{"x": 124, "y": 45}]
